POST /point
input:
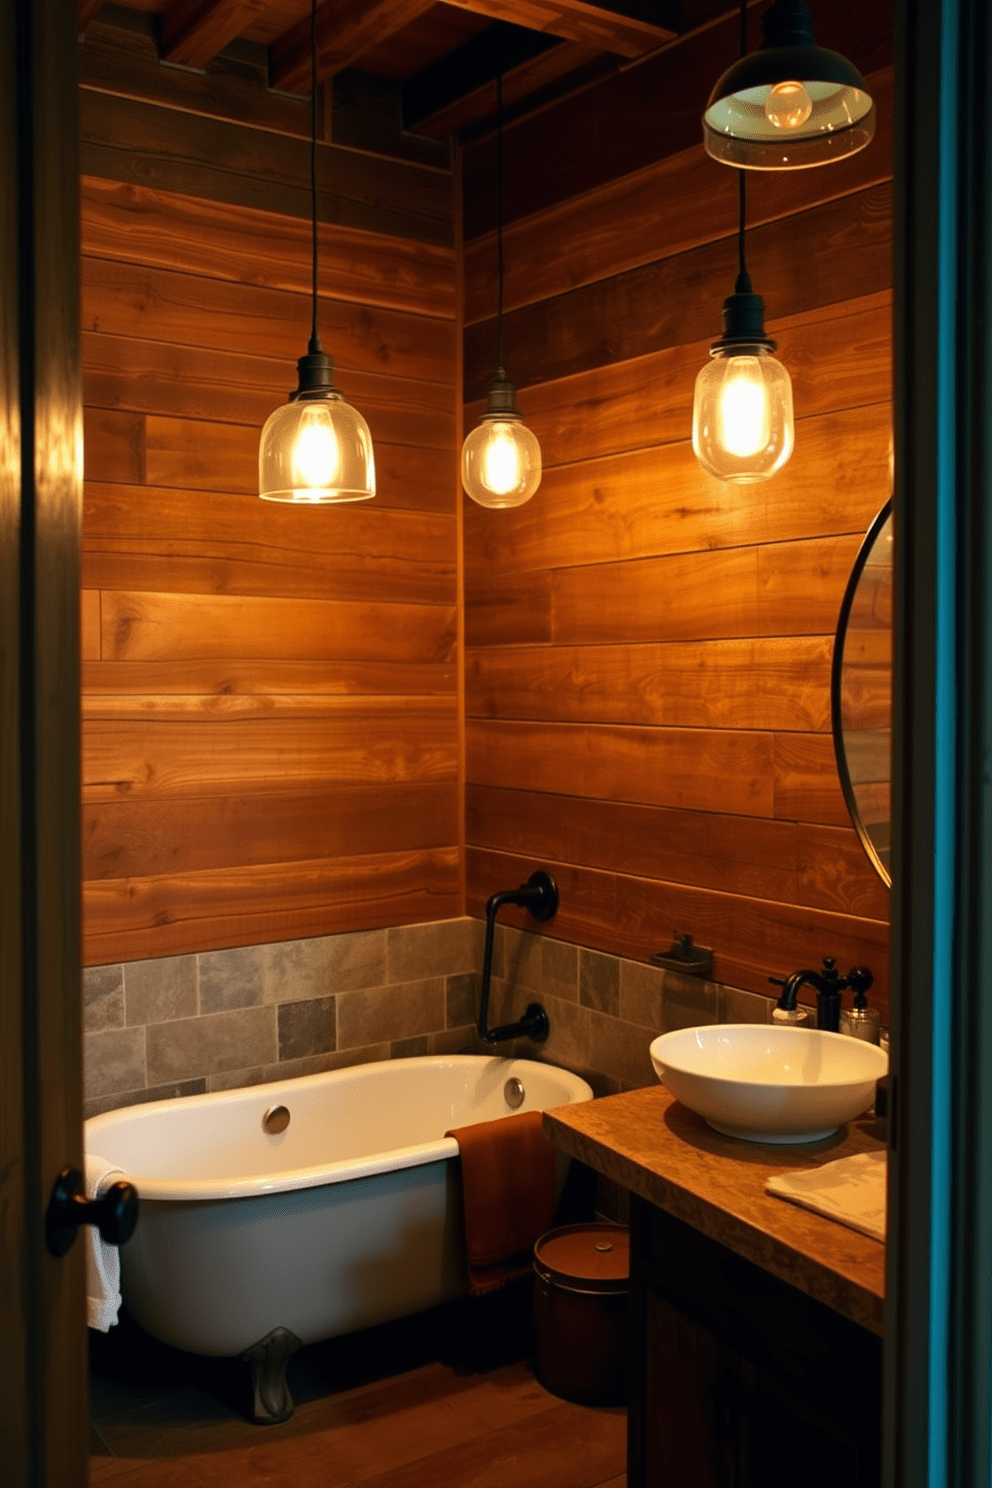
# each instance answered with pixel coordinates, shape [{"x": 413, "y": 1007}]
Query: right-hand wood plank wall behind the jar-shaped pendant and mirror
[{"x": 648, "y": 651}]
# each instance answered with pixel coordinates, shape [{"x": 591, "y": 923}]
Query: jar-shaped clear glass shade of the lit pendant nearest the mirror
[{"x": 743, "y": 416}]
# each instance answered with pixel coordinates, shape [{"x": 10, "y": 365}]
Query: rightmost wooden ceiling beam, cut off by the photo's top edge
[{"x": 625, "y": 28}]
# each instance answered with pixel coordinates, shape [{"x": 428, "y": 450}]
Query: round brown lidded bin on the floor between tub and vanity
[{"x": 581, "y": 1313}]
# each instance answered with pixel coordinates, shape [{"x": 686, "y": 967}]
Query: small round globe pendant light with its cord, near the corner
[{"x": 500, "y": 459}]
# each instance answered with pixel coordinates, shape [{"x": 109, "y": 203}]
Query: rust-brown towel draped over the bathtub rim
[{"x": 508, "y": 1187}]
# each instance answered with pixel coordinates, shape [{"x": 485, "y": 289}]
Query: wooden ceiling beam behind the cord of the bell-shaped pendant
[{"x": 346, "y": 29}]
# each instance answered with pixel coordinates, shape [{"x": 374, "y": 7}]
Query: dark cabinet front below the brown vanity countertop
[{"x": 740, "y": 1380}]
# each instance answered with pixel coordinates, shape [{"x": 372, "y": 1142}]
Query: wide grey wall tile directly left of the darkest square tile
[{"x": 212, "y": 1044}]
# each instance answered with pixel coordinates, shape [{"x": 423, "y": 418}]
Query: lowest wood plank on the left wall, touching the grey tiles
[{"x": 258, "y": 904}]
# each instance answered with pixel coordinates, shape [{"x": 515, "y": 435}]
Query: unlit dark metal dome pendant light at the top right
[{"x": 789, "y": 105}]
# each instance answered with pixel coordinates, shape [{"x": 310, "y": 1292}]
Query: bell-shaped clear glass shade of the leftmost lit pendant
[{"x": 318, "y": 452}]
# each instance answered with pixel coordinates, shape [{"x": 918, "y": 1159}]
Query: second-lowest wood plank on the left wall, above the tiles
[{"x": 149, "y": 837}]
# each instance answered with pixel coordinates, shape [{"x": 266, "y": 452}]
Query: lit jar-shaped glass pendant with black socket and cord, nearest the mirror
[{"x": 743, "y": 408}]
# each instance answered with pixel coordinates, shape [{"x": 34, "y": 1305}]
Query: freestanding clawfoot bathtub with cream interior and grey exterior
[{"x": 252, "y": 1242}]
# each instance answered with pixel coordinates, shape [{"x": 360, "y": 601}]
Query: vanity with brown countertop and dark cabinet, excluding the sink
[{"x": 755, "y": 1325}]
